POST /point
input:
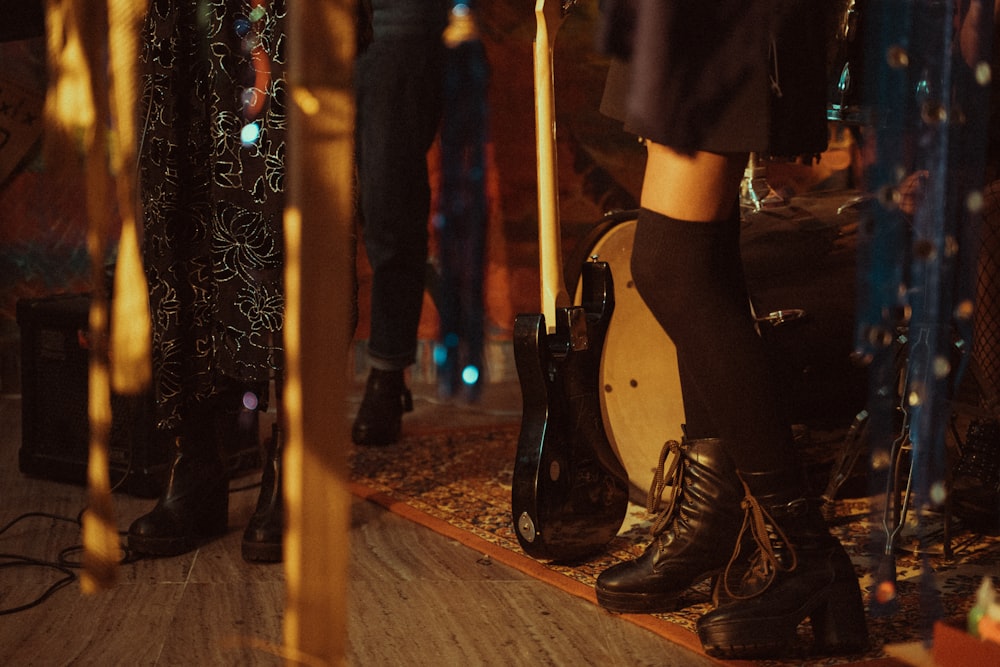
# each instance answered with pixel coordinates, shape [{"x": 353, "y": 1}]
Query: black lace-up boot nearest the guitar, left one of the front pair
[{"x": 704, "y": 514}]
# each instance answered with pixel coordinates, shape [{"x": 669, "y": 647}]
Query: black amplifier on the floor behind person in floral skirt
[{"x": 54, "y": 407}]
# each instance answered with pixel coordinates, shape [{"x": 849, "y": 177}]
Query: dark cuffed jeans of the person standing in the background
[{"x": 398, "y": 112}]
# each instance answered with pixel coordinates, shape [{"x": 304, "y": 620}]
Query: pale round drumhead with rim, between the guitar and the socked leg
[{"x": 641, "y": 391}]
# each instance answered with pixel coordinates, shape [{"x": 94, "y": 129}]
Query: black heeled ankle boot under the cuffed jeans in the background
[{"x": 380, "y": 417}]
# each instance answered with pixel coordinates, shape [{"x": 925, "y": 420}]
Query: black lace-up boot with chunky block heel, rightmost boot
[{"x": 798, "y": 571}]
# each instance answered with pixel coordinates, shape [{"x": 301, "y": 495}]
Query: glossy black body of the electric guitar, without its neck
[{"x": 570, "y": 491}]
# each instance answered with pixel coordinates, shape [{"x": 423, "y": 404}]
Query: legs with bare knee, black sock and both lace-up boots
[{"x": 686, "y": 267}]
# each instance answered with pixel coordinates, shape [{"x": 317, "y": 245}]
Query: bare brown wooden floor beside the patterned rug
[{"x": 416, "y": 598}]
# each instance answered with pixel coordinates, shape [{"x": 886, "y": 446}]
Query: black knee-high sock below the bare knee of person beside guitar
[{"x": 691, "y": 277}]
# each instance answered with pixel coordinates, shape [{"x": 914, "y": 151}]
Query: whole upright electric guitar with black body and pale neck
[{"x": 570, "y": 491}]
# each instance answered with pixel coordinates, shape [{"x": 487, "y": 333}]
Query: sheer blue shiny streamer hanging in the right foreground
[{"x": 927, "y": 66}]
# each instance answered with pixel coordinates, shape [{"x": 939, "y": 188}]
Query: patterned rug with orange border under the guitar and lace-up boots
[{"x": 459, "y": 483}]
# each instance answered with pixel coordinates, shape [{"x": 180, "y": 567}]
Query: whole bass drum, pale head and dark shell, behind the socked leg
[{"x": 800, "y": 263}]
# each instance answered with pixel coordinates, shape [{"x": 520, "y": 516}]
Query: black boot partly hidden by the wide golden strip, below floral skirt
[{"x": 262, "y": 537}]
